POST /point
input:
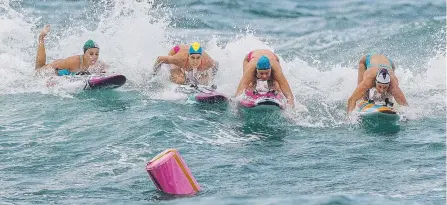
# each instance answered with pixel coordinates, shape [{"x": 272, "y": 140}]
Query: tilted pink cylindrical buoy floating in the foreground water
[{"x": 171, "y": 175}]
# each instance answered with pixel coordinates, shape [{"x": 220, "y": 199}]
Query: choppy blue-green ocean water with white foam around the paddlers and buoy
[{"x": 63, "y": 145}]
